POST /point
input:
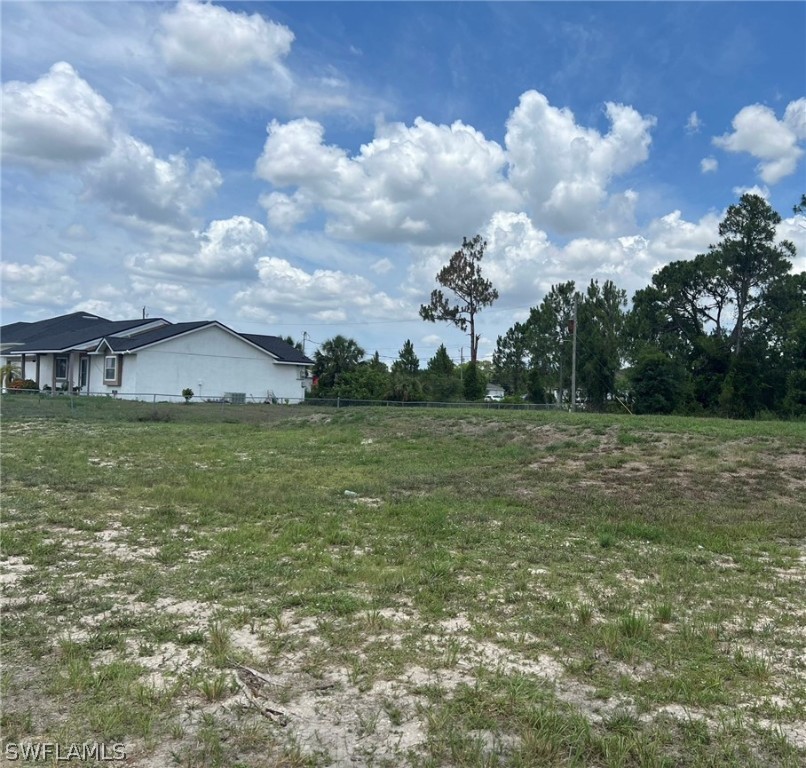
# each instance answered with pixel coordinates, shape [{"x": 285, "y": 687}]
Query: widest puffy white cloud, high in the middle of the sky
[{"x": 422, "y": 183}]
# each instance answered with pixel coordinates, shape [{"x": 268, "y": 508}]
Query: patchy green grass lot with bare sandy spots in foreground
[{"x": 287, "y": 586}]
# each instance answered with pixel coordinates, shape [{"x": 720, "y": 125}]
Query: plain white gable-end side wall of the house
[{"x": 211, "y": 362}]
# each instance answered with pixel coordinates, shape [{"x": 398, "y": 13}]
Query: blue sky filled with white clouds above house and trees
[{"x": 292, "y": 167}]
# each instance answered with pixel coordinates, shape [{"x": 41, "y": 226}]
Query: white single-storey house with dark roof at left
[{"x": 139, "y": 359}]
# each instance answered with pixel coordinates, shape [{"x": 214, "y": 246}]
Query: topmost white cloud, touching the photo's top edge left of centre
[{"x": 205, "y": 39}]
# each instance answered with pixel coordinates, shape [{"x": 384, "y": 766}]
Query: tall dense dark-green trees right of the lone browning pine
[{"x": 723, "y": 333}]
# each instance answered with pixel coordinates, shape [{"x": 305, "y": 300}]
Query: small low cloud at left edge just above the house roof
[{"x": 46, "y": 282}]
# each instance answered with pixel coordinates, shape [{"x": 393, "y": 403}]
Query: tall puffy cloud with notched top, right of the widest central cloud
[{"x": 564, "y": 169}]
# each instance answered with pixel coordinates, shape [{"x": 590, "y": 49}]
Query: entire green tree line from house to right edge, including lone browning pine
[{"x": 723, "y": 333}]
